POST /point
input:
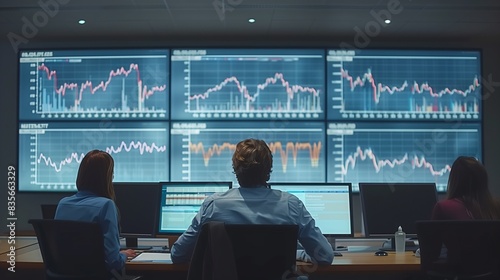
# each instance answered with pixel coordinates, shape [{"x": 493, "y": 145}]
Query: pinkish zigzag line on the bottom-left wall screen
[{"x": 142, "y": 147}]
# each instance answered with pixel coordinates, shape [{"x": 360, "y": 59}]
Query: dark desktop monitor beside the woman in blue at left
[{"x": 137, "y": 204}]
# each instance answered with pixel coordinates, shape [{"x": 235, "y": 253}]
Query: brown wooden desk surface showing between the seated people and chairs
[{"x": 29, "y": 257}]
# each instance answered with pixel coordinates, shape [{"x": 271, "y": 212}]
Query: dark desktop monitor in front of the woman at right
[{"x": 386, "y": 206}]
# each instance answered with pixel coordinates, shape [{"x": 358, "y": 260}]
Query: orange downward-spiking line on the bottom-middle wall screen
[{"x": 284, "y": 151}]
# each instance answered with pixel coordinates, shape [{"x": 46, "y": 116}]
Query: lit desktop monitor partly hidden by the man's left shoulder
[{"x": 181, "y": 201}]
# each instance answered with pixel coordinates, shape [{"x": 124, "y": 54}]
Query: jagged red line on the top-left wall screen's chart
[{"x": 144, "y": 92}]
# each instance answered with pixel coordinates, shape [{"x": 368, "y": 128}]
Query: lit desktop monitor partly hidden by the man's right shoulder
[{"x": 330, "y": 204}]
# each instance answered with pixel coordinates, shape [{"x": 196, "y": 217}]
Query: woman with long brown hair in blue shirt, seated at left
[{"x": 94, "y": 202}]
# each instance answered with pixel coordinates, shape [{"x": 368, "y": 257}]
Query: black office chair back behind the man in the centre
[{"x": 240, "y": 252}]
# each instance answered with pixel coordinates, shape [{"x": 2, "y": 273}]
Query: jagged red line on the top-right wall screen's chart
[{"x": 415, "y": 88}]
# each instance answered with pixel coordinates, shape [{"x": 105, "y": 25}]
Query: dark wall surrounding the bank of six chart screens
[{"x": 28, "y": 204}]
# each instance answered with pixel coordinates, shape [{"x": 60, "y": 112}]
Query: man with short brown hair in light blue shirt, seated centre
[{"x": 256, "y": 203}]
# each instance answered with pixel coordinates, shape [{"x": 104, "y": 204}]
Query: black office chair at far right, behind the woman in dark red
[{"x": 459, "y": 249}]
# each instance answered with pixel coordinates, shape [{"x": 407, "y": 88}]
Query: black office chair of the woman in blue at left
[{"x": 73, "y": 250}]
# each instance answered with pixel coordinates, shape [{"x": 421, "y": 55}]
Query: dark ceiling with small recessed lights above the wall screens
[{"x": 229, "y": 18}]
